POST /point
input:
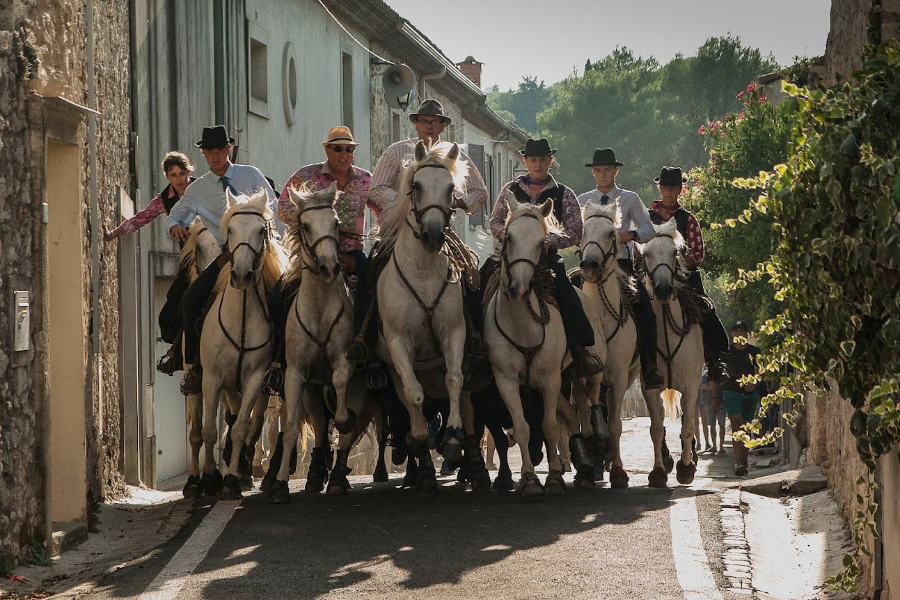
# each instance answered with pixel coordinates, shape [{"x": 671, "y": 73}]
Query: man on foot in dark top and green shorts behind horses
[{"x": 741, "y": 400}]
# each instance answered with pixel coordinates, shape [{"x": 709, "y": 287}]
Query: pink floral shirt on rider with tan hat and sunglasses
[{"x": 351, "y": 206}]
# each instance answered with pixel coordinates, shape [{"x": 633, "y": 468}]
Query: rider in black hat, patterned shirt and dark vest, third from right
[{"x": 535, "y": 188}]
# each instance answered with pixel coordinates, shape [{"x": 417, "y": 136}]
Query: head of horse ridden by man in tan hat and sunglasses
[{"x": 317, "y": 228}]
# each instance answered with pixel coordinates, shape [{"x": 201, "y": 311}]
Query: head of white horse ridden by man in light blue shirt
[{"x": 246, "y": 227}]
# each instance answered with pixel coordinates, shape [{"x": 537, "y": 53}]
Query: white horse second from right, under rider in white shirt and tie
[{"x": 600, "y": 272}]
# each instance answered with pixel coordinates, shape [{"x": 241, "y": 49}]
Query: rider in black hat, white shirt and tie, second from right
[{"x": 635, "y": 226}]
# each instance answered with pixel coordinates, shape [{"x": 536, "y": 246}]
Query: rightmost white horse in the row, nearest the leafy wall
[{"x": 680, "y": 345}]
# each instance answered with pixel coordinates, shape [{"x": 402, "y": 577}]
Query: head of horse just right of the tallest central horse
[{"x": 524, "y": 245}]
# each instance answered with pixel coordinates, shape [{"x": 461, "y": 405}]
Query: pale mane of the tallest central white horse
[{"x": 394, "y": 215}]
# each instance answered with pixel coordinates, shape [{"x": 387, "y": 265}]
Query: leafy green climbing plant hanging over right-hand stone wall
[{"x": 836, "y": 265}]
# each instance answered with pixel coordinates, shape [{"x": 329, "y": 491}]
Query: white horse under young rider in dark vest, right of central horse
[{"x": 526, "y": 340}]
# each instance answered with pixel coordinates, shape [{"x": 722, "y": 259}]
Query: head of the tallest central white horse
[{"x": 433, "y": 176}]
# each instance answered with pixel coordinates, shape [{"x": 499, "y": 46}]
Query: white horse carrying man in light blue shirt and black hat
[{"x": 236, "y": 344}]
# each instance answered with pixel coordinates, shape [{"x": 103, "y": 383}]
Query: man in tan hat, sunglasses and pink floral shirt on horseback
[{"x": 353, "y": 183}]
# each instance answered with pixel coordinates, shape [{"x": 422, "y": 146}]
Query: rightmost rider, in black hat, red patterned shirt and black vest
[{"x": 671, "y": 184}]
